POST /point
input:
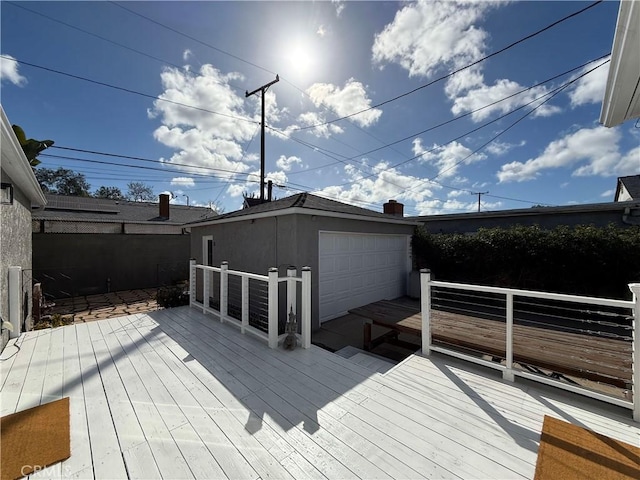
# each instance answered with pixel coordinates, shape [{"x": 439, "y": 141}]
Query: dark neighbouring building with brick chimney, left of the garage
[{"x": 85, "y": 245}]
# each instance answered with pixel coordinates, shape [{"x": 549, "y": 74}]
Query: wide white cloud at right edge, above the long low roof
[{"x": 595, "y": 151}]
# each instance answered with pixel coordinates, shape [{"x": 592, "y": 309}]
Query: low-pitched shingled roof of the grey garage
[{"x": 305, "y": 203}]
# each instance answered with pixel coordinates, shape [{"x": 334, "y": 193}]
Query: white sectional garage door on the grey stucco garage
[{"x": 357, "y": 269}]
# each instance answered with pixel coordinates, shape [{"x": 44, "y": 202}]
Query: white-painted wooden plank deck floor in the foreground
[{"x": 175, "y": 394}]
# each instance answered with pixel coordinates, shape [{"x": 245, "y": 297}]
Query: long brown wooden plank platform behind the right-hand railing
[{"x": 595, "y": 358}]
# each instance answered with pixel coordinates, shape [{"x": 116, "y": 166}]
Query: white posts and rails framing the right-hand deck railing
[{"x": 507, "y": 366}]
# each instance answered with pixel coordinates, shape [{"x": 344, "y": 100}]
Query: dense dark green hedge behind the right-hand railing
[{"x": 582, "y": 260}]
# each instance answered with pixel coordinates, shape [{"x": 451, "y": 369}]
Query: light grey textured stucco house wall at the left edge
[{"x": 15, "y": 248}]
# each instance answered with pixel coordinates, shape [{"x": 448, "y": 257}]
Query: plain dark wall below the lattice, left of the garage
[{"x": 85, "y": 264}]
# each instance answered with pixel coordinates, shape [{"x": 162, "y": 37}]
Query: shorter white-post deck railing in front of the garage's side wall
[{"x": 258, "y": 312}]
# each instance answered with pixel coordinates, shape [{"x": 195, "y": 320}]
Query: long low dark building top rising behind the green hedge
[{"x": 598, "y": 214}]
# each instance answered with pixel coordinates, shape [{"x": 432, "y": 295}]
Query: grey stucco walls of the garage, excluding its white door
[{"x": 255, "y": 246}]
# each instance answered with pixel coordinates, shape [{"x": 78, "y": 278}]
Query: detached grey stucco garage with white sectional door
[{"x": 357, "y": 256}]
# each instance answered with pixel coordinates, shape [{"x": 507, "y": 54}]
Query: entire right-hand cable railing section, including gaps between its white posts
[{"x": 564, "y": 340}]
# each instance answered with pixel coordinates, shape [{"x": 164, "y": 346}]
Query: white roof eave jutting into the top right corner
[{"x": 622, "y": 94}]
